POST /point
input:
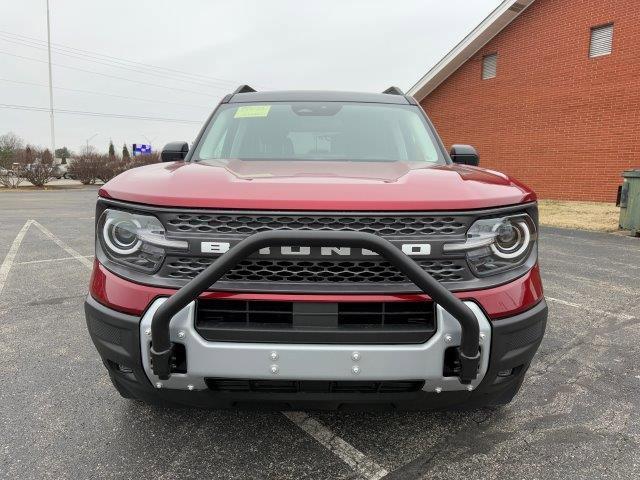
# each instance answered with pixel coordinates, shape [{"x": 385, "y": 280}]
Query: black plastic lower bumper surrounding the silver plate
[{"x": 514, "y": 343}]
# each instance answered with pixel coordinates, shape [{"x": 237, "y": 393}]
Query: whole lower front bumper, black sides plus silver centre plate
[{"x": 507, "y": 349}]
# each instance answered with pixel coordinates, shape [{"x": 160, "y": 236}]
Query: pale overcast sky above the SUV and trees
[{"x": 277, "y": 44}]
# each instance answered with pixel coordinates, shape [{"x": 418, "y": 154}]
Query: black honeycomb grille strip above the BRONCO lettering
[{"x": 247, "y": 224}]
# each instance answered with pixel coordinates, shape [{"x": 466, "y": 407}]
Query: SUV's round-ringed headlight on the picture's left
[{"x": 134, "y": 240}]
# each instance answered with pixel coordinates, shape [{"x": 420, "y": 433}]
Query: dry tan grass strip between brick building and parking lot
[{"x": 597, "y": 216}]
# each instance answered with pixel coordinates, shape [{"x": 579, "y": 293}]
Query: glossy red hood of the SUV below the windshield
[{"x": 318, "y": 185}]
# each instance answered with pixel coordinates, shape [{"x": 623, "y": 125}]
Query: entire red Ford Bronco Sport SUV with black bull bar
[{"x": 316, "y": 249}]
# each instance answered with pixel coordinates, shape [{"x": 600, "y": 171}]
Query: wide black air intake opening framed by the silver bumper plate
[{"x": 308, "y": 322}]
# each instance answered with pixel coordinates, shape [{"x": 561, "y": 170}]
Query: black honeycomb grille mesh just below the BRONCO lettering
[{"x": 315, "y": 271}]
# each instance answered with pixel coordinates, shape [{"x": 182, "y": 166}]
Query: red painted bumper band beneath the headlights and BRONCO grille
[{"x": 132, "y": 298}]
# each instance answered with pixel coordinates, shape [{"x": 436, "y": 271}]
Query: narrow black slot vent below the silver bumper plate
[{"x": 312, "y": 386}]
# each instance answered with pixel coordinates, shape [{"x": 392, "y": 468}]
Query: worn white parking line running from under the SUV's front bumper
[{"x": 350, "y": 455}]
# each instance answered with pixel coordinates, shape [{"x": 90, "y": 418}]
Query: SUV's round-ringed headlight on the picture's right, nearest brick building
[{"x": 497, "y": 244}]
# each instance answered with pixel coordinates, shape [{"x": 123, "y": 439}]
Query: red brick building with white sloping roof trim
[{"x": 547, "y": 91}]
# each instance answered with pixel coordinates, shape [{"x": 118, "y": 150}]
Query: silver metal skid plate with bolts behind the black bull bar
[{"x": 313, "y": 362}]
